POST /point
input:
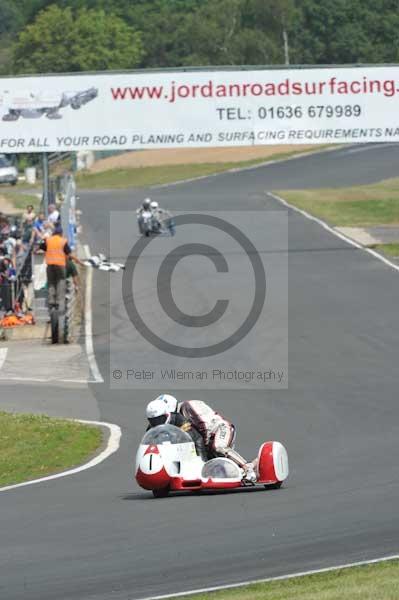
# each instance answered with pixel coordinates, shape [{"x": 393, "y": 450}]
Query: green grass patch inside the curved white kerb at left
[{"x": 34, "y": 446}]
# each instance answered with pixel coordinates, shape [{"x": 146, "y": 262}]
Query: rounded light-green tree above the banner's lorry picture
[{"x": 88, "y": 40}]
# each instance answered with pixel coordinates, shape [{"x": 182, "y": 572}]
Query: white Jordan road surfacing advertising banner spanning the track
[{"x": 137, "y": 110}]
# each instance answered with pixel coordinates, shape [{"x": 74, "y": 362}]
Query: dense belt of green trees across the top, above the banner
[{"x": 75, "y": 35}]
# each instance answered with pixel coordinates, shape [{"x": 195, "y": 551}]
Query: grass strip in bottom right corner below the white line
[{"x": 369, "y": 582}]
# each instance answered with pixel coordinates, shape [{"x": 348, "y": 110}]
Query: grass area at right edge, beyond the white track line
[{"x": 363, "y": 205}]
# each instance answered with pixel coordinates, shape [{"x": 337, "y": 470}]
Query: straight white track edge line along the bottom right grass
[{"x": 269, "y": 579}]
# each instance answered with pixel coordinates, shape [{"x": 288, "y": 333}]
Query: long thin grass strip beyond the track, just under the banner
[{"x": 146, "y": 176}]
